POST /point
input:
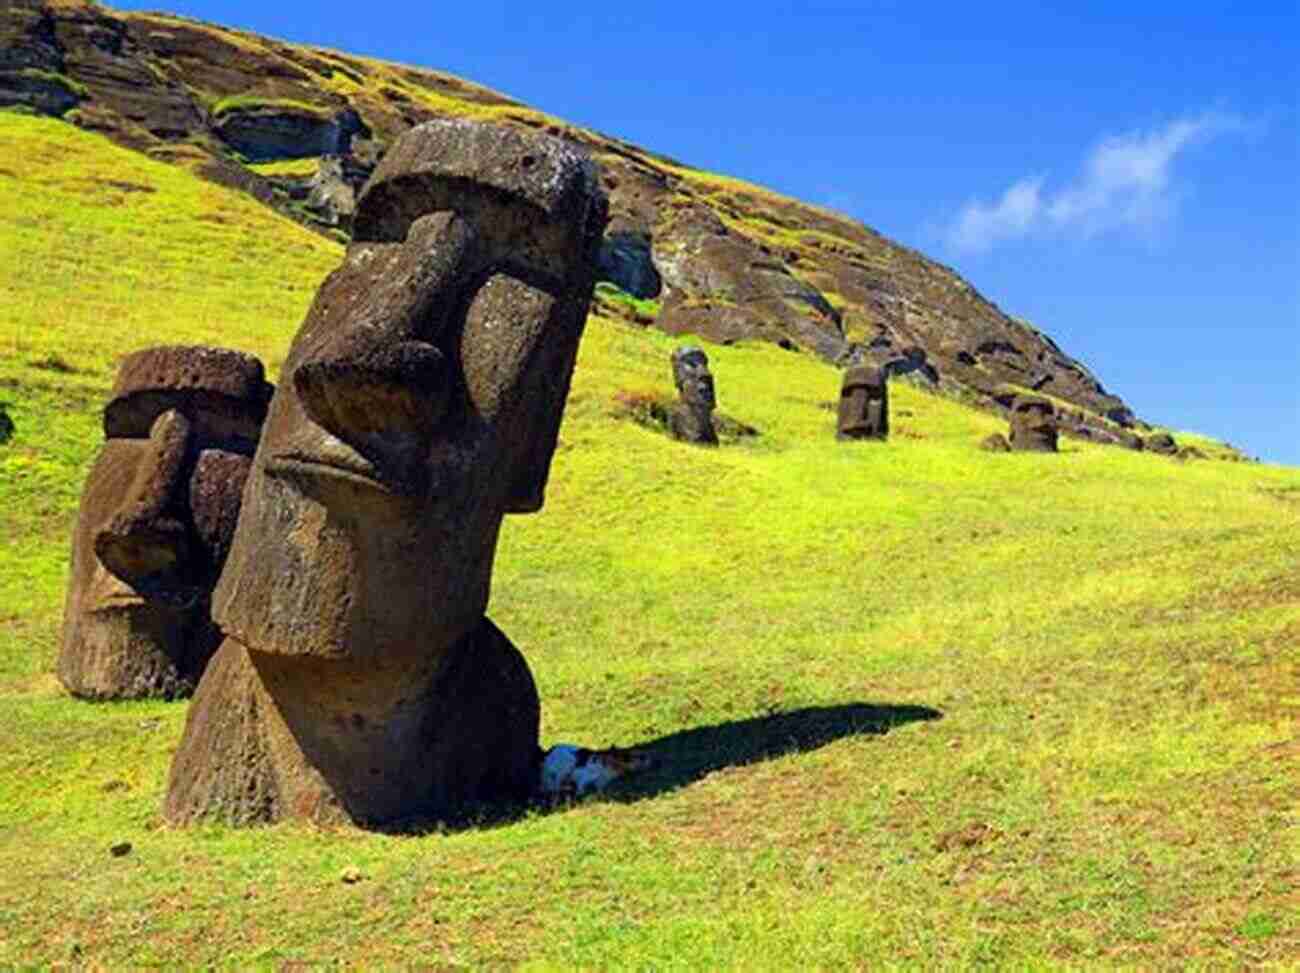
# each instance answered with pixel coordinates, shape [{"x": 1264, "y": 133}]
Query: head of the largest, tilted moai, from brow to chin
[{"x": 421, "y": 401}]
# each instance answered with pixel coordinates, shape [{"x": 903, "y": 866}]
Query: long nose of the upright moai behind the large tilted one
[{"x": 142, "y": 542}]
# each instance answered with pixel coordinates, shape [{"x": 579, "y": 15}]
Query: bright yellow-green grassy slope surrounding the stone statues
[{"x": 1108, "y": 641}]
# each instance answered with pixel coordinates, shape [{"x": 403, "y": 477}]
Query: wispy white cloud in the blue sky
[{"x": 1125, "y": 184}]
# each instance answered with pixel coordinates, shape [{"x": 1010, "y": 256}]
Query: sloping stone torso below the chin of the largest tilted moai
[{"x": 285, "y": 738}]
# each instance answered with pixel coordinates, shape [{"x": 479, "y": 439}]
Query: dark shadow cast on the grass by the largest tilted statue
[{"x": 688, "y": 756}]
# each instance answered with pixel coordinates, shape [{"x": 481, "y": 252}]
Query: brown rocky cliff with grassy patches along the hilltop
[{"x": 723, "y": 260}]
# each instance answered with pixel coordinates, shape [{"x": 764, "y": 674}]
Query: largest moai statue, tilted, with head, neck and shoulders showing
[{"x": 422, "y": 399}]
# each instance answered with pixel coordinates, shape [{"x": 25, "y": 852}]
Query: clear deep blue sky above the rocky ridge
[{"x": 1125, "y": 176}]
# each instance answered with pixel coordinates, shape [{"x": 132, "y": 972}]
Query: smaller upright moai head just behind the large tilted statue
[{"x": 157, "y": 520}]
